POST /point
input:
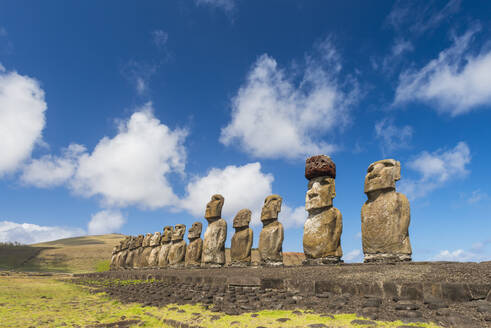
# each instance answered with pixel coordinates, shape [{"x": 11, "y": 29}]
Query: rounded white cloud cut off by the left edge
[{"x": 22, "y": 118}]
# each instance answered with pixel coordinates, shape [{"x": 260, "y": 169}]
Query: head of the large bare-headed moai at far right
[{"x": 382, "y": 175}]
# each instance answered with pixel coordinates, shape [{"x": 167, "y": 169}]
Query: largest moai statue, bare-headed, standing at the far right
[{"x": 385, "y": 215}]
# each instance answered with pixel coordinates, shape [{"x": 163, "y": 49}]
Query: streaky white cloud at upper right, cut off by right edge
[{"x": 456, "y": 82}]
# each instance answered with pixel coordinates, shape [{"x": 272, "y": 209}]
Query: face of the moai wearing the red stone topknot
[{"x": 320, "y": 193}]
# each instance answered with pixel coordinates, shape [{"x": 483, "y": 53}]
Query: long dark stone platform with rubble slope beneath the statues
[{"x": 450, "y": 294}]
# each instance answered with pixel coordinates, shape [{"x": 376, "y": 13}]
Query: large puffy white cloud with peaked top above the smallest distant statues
[{"x": 131, "y": 168}]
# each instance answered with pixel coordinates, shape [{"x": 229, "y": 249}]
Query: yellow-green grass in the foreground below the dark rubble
[{"x": 27, "y": 301}]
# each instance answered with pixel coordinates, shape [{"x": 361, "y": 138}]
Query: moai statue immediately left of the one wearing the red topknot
[{"x": 271, "y": 237}]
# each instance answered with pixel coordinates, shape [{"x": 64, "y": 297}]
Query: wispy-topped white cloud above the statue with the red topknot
[{"x": 275, "y": 117}]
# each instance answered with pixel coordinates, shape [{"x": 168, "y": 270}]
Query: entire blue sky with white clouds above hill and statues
[{"x": 123, "y": 116}]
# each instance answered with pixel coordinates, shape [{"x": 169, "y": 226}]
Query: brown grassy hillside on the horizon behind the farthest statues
[{"x": 79, "y": 254}]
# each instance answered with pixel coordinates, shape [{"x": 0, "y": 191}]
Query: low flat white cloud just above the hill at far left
[{"x": 27, "y": 233}]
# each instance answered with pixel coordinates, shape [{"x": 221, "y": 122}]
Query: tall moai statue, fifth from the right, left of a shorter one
[{"x": 215, "y": 234}]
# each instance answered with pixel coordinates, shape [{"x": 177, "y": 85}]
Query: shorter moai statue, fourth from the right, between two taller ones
[{"x": 240, "y": 250}]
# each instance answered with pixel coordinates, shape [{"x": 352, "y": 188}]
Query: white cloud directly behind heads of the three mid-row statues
[{"x": 241, "y": 186}]
